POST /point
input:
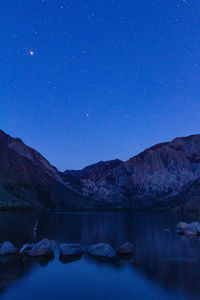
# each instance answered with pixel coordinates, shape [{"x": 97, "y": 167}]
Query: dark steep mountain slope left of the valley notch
[{"x": 28, "y": 180}]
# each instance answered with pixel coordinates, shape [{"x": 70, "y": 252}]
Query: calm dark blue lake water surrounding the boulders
[{"x": 165, "y": 265}]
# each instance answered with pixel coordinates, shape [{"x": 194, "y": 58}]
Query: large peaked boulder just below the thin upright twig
[{"x": 44, "y": 247}]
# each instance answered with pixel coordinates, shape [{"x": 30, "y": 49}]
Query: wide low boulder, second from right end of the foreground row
[{"x": 102, "y": 250}]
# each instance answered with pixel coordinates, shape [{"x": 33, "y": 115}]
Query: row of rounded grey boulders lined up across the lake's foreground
[{"x": 67, "y": 251}]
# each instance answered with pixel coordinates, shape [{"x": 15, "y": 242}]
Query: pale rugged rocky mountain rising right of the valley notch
[{"x": 165, "y": 176}]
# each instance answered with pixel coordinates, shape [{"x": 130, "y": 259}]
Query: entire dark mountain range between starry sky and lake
[{"x": 165, "y": 176}]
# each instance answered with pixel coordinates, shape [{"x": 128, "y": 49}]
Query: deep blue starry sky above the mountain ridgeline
[{"x": 83, "y": 81}]
